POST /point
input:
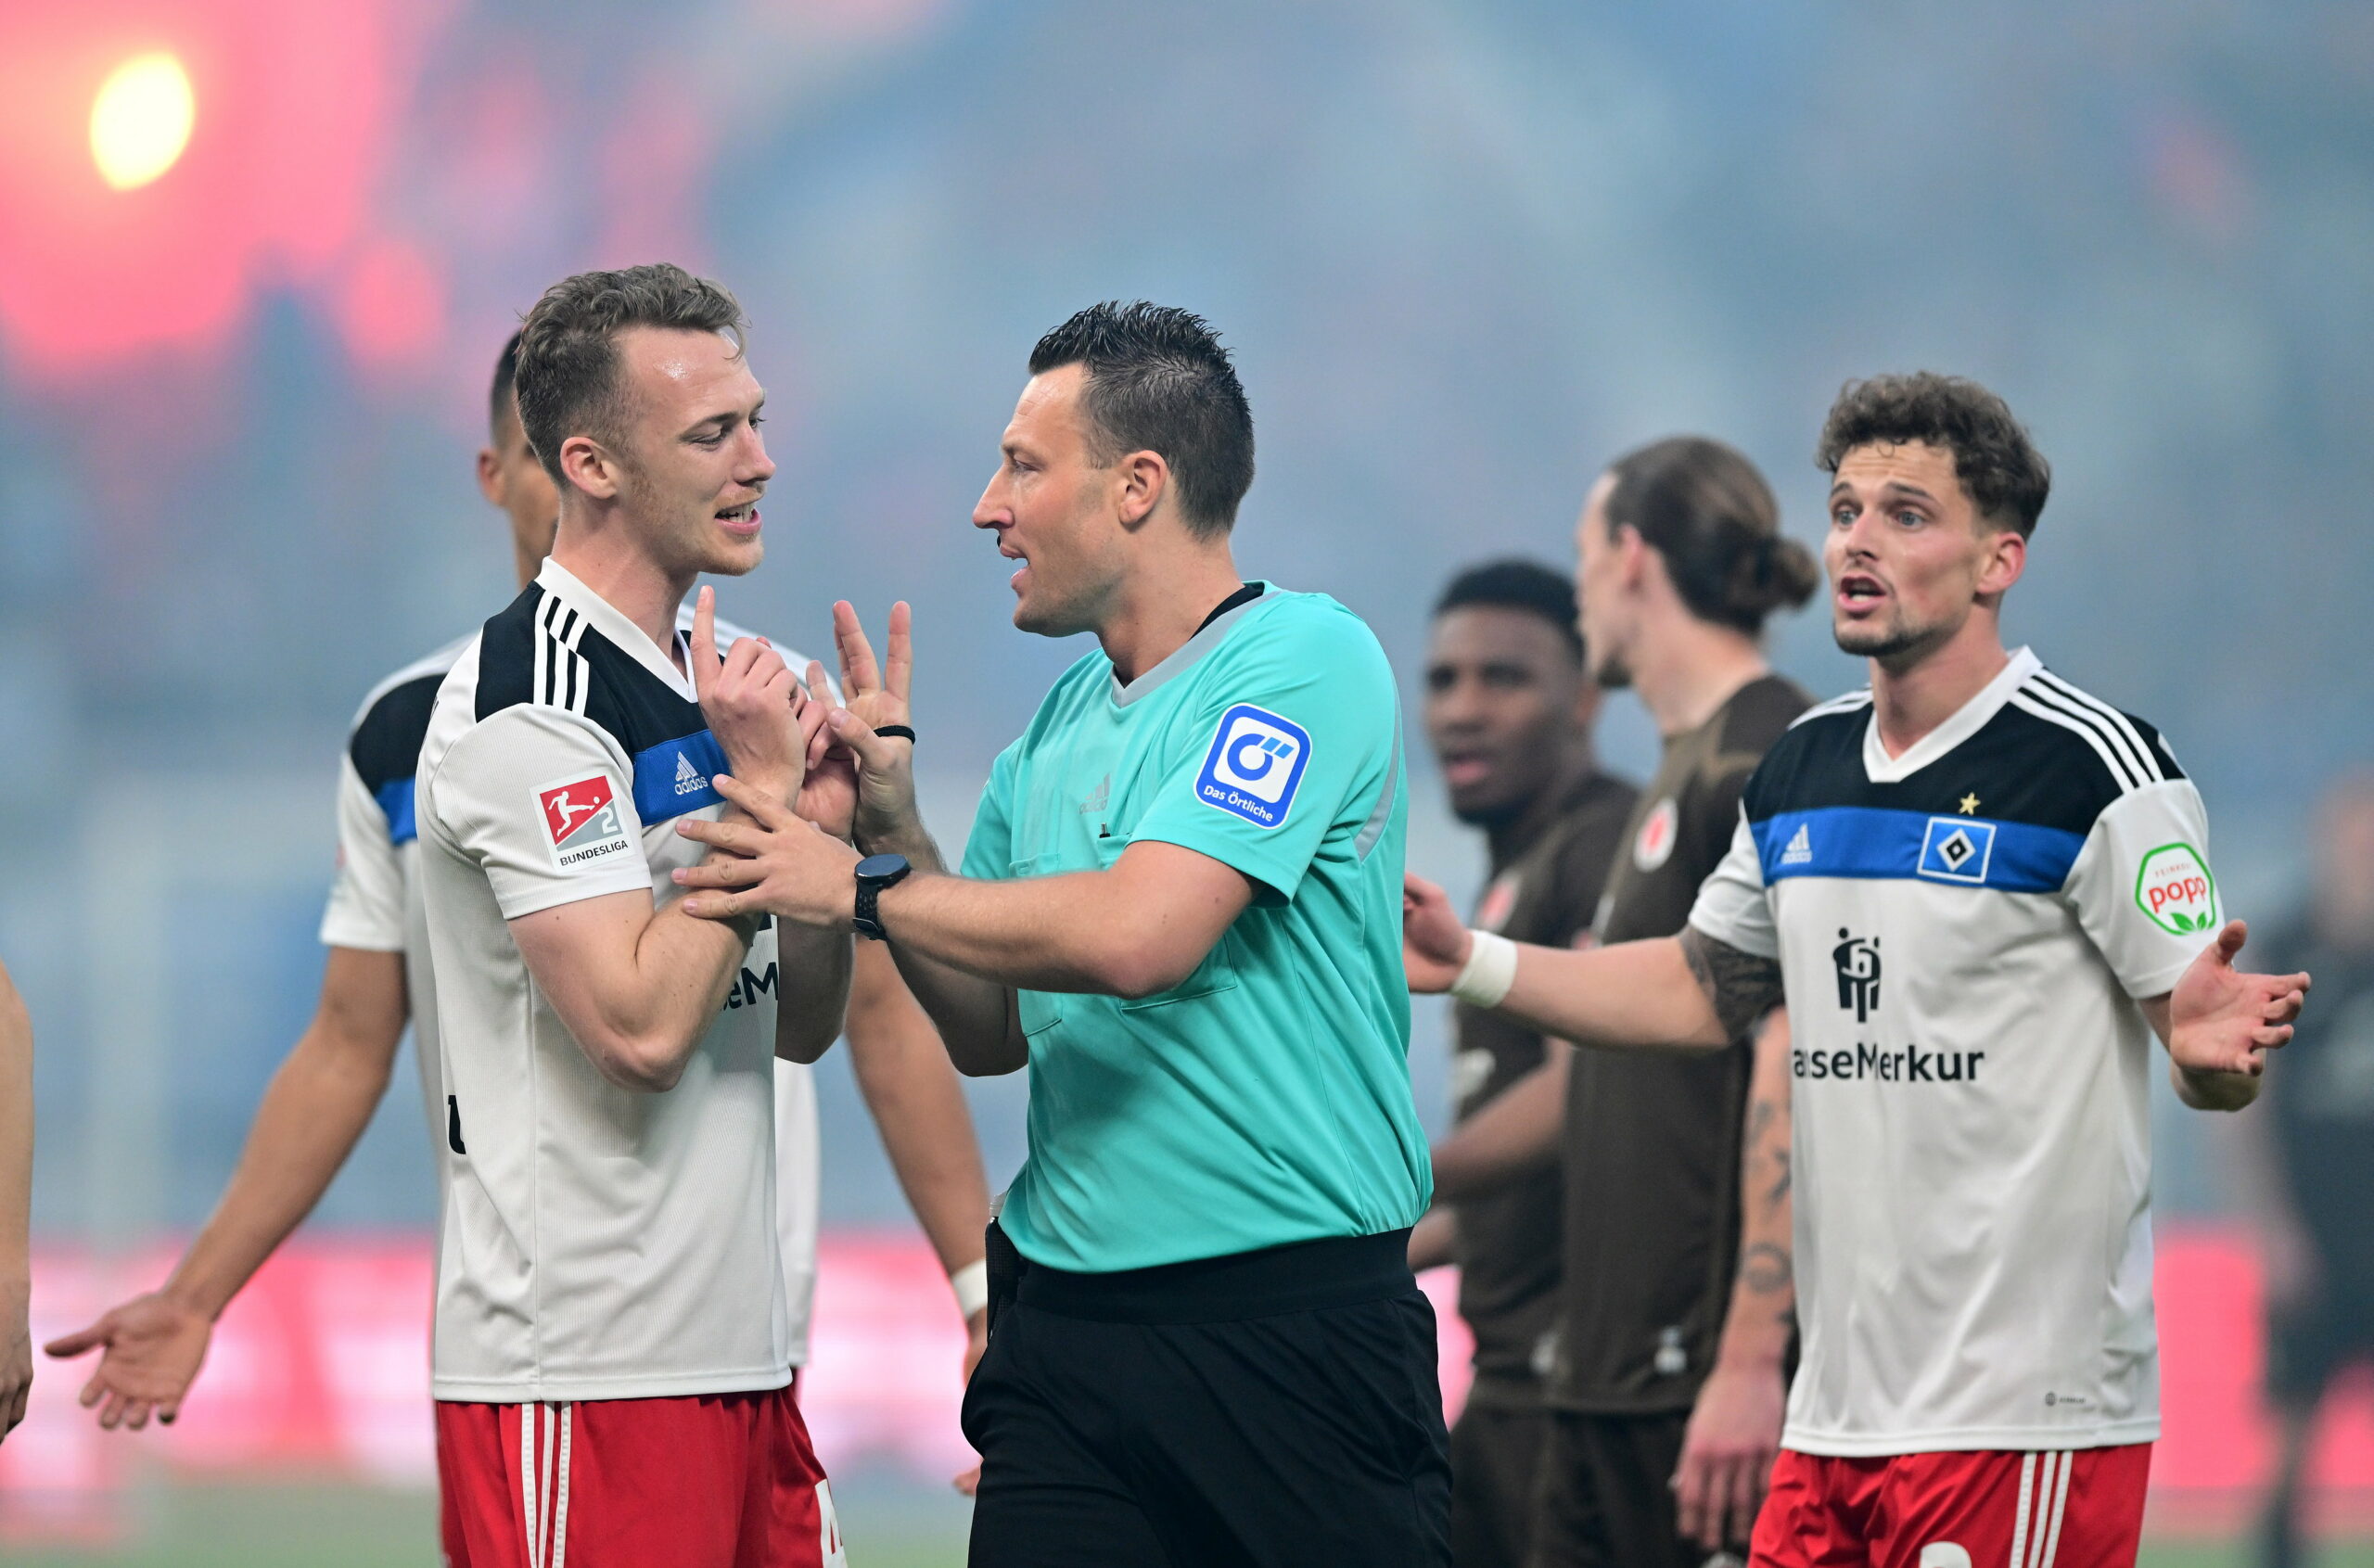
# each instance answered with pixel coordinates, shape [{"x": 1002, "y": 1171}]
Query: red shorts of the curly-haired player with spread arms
[{"x": 2069, "y": 1510}]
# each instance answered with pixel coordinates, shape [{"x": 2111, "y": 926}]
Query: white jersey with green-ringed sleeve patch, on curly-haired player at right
[{"x": 1964, "y": 933}]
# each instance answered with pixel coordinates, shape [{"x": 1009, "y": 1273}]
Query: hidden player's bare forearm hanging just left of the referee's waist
[{"x": 918, "y": 1107}]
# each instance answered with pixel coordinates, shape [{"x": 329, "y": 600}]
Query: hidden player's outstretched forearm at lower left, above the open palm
[{"x": 312, "y": 1116}]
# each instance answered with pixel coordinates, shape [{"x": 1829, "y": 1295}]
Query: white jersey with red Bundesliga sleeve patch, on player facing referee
[{"x": 597, "y": 1244}]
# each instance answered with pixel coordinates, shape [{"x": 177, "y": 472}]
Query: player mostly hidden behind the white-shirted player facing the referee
[{"x": 379, "y": 979}]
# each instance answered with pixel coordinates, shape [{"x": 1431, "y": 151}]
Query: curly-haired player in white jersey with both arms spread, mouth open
[{"x": 1981, "y": 893}]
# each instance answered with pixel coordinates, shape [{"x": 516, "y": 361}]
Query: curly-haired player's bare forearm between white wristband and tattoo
[{"x": 1634, "y": 995}]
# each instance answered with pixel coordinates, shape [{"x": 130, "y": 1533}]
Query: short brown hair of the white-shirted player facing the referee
[{"x": 569, "y": 348}]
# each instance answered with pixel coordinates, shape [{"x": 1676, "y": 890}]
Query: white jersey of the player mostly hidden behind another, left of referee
[{"x": 376, "y": 907}]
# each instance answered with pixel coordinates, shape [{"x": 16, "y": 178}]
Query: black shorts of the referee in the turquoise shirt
[{"x": 1269, "y": 1410}]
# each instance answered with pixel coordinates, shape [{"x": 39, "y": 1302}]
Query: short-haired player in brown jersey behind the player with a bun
[{"x": 1509, "y": 713}]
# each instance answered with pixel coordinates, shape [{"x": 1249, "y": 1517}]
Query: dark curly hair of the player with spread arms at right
[{"x": 2000, "y": 469}]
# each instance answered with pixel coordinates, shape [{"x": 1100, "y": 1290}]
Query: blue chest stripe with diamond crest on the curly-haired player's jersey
[{"x": 1874, "y": 843}]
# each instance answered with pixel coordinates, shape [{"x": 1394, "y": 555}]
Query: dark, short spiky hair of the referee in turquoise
[{"x": 1160, "y": 381}]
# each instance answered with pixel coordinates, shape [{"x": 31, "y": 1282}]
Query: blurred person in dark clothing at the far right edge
[{"x": 2309, "y": 1164}]
